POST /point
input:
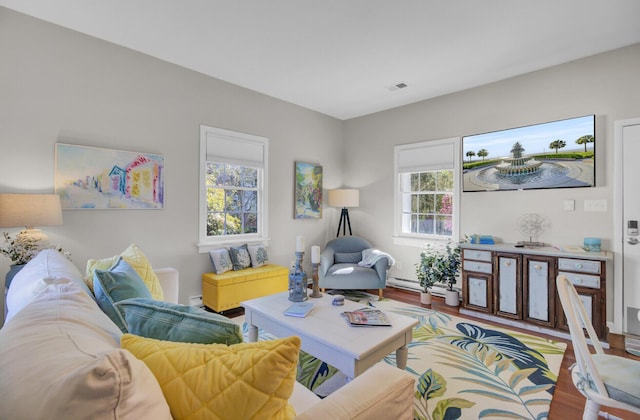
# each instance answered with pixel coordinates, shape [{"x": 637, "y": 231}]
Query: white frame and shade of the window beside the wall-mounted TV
[{"x": 443, "y": 154}]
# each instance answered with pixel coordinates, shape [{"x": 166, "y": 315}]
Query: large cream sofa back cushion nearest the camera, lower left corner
[{"x": 60, "y": 358}]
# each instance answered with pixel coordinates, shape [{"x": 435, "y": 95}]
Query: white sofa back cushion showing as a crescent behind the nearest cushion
[{"x": 29, "y": 282}]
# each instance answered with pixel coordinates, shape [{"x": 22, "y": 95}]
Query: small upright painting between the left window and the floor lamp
[{"x": 308, "y": 191}]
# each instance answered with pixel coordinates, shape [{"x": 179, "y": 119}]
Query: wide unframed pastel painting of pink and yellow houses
[{"x": 97, "y": 178}]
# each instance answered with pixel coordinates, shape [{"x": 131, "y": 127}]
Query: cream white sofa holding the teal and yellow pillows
[{"x": 60, "y": 357}]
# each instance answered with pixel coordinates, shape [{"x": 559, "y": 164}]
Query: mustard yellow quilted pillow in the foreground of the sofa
[{"x": 204, "y": 381}]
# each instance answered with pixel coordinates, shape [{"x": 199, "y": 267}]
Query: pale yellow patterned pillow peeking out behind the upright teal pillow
[{"x": 136, "y": 259}]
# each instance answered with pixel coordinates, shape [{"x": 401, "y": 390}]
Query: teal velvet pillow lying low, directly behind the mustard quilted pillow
[{"x": 172, "y": 322}]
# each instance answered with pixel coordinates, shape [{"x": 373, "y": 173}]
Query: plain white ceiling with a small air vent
[{"x": 343, "y": 58}]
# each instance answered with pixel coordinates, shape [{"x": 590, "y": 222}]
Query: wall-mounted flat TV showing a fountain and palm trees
[{"x": 558, "y": 154}]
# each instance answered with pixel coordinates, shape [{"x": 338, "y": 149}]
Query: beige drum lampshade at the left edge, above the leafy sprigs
[{"x": 28, "y": 210}]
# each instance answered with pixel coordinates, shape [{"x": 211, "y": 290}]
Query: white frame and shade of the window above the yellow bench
[{"x": 235, "y": 149}]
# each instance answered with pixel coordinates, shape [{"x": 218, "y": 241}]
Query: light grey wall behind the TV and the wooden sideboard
[{"x": 607, "y": 85}]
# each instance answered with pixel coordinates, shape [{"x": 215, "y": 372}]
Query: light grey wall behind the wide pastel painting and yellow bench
[{"x": 59, "y": 85}]
